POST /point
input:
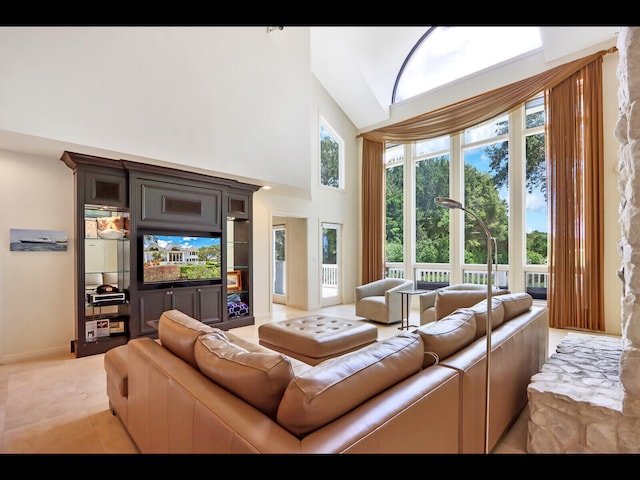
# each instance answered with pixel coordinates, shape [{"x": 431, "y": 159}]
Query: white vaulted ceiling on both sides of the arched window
[{"x": 358, "y": 66}]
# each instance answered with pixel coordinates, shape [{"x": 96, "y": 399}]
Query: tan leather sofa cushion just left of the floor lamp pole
[{"x": 445, "y": 337}]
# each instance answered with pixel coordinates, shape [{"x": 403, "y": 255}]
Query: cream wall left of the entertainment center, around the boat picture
[{"x": 36, "y": 288}]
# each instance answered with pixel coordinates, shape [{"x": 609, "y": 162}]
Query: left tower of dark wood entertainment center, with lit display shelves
[{"x": 101, "y": 205}]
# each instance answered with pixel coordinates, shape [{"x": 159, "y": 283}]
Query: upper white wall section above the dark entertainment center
[{"x": 233, "y": 100}]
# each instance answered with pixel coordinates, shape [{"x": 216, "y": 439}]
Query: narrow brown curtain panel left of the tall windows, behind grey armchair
[{"x": 373, "y": 211}]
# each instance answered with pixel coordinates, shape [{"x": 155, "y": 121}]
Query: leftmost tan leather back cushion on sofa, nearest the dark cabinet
[{"x": 178, "y": 333}]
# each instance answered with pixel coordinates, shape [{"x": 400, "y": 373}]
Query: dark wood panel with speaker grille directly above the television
[{"x": 188, "y": 206}]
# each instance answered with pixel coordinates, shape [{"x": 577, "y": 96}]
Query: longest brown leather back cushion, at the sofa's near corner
[{"x": 336, "y": 386}]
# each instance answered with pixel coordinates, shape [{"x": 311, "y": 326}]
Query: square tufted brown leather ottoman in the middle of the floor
[{"x": 316, "y": 338}]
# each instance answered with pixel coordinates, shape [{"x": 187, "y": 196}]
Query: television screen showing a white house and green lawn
[{"x": 180, "y": 258}]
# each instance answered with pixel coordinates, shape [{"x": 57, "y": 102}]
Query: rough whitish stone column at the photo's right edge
[{"x": 627, "y": 133}]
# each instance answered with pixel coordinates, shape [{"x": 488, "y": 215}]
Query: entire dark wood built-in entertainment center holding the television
[{"x": 122, "y": 210}]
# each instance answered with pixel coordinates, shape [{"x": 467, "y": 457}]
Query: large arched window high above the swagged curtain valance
[{"x": 447, "y": 54}]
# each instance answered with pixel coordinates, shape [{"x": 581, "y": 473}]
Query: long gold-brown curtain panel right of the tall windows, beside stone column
[{"x": 575, "y": 155}]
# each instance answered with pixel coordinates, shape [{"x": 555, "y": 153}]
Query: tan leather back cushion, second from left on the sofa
[{"x": 258, "y": 377}]
